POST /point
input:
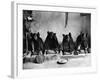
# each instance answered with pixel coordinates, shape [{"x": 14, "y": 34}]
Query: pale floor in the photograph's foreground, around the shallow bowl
[{"x": 82, "y": 60}]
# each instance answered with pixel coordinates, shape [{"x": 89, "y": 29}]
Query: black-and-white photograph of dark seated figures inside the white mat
[{"x": 56, "y": 39}]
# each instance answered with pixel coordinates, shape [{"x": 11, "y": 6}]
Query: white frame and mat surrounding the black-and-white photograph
[{"x": 17, "y": 63}]
